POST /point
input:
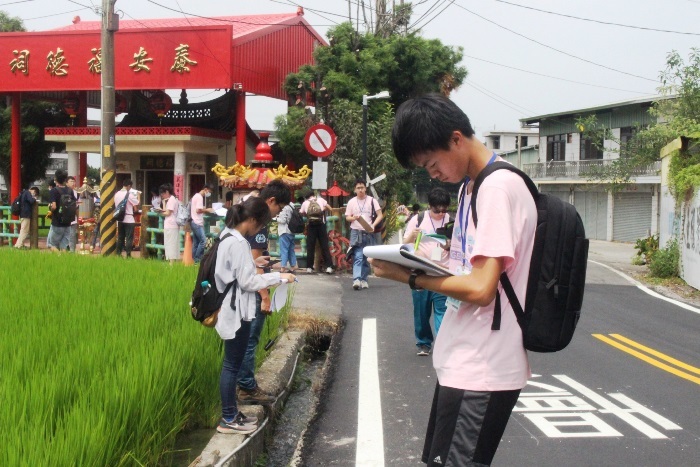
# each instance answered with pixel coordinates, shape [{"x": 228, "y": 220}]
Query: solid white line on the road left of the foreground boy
[{"x": 370, "y": 434}]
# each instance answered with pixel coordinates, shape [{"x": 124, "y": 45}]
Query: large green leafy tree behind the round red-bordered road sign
[{"x": 357, "y": 64}]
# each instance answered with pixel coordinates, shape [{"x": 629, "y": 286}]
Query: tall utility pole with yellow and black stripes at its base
[{"x": 108, "y": 227}]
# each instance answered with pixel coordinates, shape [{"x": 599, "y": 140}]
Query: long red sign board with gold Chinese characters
[{"x": 167, "y": 58}]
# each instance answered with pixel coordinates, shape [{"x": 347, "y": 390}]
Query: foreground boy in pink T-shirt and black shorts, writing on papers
[{"x": 480, "y": 371}]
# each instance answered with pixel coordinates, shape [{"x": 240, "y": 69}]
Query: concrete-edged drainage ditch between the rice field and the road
[{"x": 296, "y": 369}]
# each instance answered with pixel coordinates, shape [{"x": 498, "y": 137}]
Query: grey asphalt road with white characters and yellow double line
[{"x": 625, "y": 392}]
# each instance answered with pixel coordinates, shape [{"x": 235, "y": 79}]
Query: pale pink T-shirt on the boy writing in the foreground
[{"x": 468, "y": 354}]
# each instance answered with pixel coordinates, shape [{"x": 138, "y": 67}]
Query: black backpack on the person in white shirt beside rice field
[{"x": 206, "y": 298}]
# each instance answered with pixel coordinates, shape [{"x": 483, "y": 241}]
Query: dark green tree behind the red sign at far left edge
[{"x": 35, "y": 116}]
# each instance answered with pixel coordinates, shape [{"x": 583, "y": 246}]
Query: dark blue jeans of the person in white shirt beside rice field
[{"x": 234, "y": 350}]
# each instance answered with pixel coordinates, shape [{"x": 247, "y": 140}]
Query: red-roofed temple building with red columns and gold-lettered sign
[{"x": 157, "y": 140}]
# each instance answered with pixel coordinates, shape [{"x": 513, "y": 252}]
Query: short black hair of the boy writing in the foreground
[{"x": 426, "y": 124}]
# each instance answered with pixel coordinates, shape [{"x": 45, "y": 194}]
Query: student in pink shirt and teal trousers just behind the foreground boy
[{"x": 426, "y": 302}]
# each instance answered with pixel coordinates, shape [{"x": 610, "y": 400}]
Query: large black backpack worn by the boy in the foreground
[{"x": 557, "y": 270}]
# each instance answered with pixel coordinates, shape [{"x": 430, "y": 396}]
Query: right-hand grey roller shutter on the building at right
[{"x": 631, "y": 216}]
